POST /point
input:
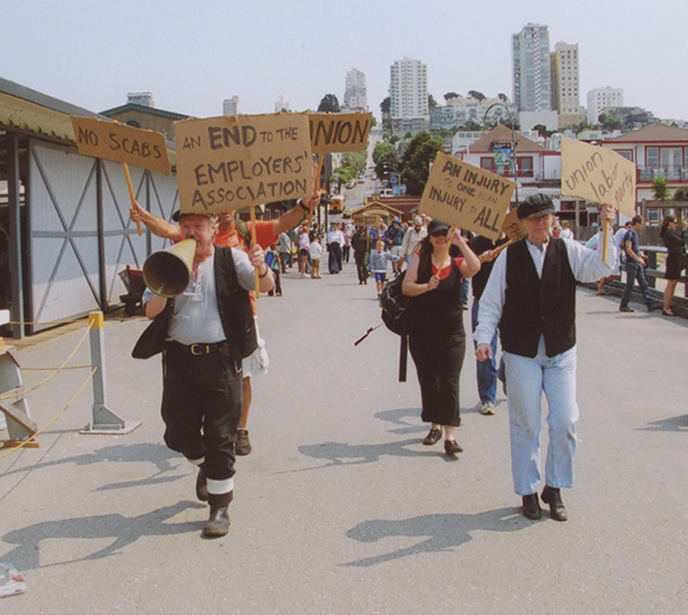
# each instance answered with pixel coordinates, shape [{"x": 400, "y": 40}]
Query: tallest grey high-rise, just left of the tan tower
[{"x": 531, "y": 68}]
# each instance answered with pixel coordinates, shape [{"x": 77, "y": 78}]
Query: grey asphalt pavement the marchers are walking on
[{"x": 340, "y": 509}]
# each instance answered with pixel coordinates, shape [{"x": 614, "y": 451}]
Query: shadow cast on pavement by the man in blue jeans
[{"x": 442, "y": 532}]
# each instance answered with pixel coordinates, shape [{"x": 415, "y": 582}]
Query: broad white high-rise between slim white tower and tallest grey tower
[{"x": 408, "y": 89}]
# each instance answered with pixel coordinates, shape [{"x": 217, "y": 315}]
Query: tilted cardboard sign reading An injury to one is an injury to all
[{"x": 461, "y": 194}]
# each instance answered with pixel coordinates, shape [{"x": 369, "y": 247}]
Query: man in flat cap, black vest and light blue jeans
[{"x": 531, "y": 297}]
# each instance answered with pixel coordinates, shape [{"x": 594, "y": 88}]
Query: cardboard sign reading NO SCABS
[{"x": 121, "y": 143}]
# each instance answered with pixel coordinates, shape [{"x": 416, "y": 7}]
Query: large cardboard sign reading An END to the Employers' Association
[{"x": 232, "y": 162}]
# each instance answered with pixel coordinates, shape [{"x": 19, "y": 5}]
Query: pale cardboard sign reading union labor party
[{"x": 597, "y": 174}]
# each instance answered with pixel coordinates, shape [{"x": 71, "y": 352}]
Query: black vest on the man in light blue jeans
[{"x": 535, "y": 306}]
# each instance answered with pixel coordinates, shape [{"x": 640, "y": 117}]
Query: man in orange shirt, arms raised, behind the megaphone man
[{"x": 235, "y": 233}]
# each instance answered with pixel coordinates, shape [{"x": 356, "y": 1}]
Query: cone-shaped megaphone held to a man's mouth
[{"x": 167, "y": 272}]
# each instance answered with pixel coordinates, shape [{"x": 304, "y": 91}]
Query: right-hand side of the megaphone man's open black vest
[{"x": 234, "y": 305}]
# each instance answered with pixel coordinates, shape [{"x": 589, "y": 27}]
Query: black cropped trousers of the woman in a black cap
[{"x": 438, "y": 365}]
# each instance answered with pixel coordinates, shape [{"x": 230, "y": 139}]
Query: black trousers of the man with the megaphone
[{"x": 201, "y": 407}]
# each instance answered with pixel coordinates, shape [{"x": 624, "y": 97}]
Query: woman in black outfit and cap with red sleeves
[{"x": 437, "y": 338}]
